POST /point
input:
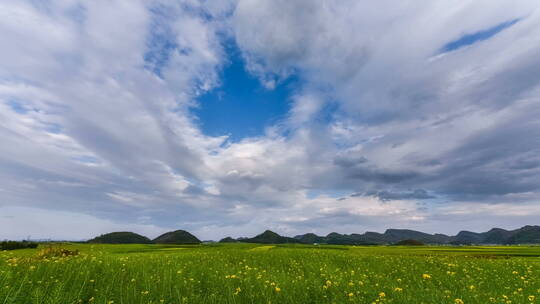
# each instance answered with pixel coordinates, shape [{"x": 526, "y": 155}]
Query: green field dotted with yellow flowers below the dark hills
[{"x": 250, "y": 273}]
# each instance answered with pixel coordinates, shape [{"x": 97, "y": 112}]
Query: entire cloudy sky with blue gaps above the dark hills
[{"x": 227, "y": 118}]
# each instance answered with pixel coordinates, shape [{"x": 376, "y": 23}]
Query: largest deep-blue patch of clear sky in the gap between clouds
[{"x": 241, "y": 106}]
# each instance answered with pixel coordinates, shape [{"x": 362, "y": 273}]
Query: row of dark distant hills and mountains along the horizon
[{"x": 495, "y": 236}]
